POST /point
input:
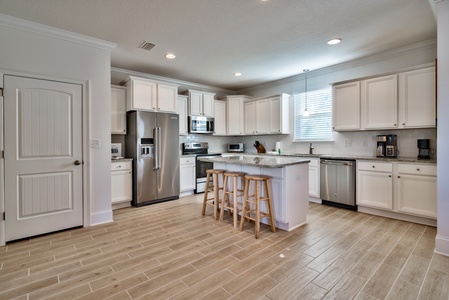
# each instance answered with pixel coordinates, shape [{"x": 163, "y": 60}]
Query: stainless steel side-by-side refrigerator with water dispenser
[{"x": 152, "y": 140}]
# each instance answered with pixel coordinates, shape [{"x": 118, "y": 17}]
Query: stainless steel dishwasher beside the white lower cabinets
[{"x": 337, "y": 183}]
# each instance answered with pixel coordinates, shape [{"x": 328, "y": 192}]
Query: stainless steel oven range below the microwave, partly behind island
[{"x": 199, "y": 150}]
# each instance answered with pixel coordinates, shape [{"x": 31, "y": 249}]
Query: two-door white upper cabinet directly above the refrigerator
[{"x": 145, "y": 94}]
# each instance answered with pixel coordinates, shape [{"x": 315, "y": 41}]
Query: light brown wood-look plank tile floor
[{"x": 170, "y": 251}]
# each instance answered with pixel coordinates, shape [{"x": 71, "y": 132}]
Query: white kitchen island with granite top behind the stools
[{"x": 289, "y": 183}]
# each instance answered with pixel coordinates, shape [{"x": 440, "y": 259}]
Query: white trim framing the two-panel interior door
[{"x": 85, "y": 138}]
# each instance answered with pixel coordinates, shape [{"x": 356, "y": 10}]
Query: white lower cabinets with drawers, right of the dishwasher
[{"x": 403, "y": 188}]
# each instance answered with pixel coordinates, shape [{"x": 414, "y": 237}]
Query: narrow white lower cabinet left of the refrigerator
[{"x": 121, "y": 181}]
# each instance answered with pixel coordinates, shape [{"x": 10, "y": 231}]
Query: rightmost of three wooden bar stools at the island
[{"x": 251, "y": 203}]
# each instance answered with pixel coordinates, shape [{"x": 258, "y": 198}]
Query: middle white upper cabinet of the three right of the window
[{"x": 379, "y": 102}]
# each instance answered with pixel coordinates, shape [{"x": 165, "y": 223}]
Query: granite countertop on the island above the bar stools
[{"x": 258, "y": 160}]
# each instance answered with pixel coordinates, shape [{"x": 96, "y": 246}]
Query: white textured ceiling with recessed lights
[{"x": 212, "y": 39}]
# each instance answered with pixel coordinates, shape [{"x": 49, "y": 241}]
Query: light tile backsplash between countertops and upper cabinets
[{"x": 360, "y": 143}]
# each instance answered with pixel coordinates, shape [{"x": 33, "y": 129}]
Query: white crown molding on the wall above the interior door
[{"x": 45, "y": 30}]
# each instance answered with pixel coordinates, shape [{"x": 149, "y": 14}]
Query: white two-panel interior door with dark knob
[{"x": 43, "y": 155}]
